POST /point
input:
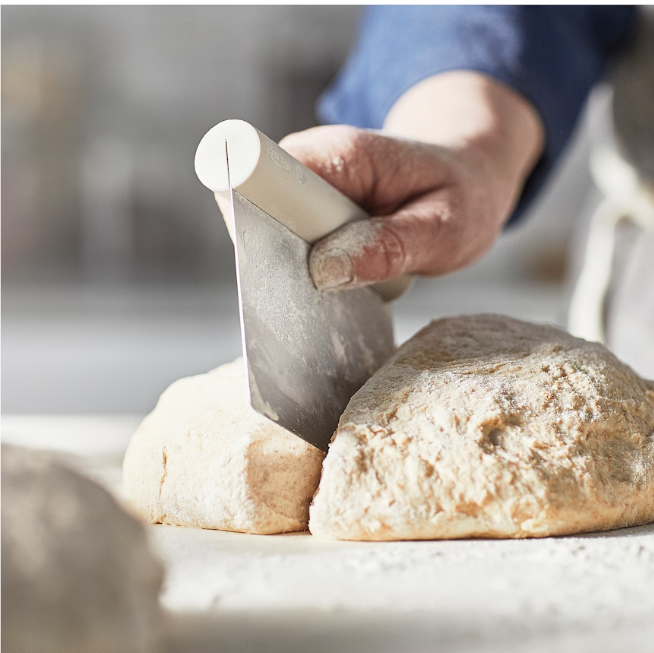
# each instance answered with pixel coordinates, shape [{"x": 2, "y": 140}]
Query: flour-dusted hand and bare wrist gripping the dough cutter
[{"x": 440, "y": 180}]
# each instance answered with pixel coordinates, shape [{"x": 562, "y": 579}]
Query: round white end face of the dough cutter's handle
[{"x": 244, "y": 146}]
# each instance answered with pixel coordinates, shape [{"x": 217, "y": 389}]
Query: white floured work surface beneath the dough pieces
[{"x": 233, "y": 592}]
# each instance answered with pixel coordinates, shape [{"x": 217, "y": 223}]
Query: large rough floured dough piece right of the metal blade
[{"x": 486, "y": 426}]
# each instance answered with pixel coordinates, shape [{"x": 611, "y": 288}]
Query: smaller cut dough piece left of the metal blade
[{"x": 204, "y": 458}]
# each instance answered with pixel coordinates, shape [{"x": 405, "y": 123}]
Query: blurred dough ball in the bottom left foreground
[{"x": 77, "y": 574}]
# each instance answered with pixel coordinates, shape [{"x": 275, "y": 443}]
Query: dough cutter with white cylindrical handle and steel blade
[{"x": 306, "y": 351}]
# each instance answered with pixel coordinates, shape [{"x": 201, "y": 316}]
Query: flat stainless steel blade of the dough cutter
[{"x": 307, "y": 351}]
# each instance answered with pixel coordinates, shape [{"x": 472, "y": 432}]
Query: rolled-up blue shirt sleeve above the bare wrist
[{"x": 552, "y": 55}]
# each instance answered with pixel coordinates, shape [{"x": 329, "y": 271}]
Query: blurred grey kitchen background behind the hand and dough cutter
[{"x": 117, "y": 271}]
